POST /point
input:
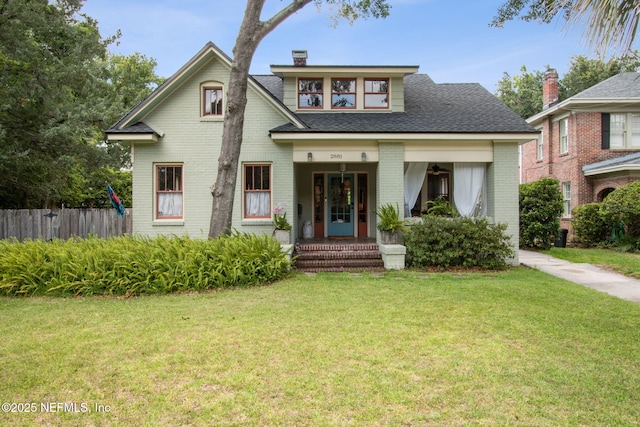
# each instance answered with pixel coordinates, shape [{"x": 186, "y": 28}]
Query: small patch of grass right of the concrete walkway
[{"x": 622, "y": 262}]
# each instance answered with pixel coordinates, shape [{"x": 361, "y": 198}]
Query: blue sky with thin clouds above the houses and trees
[{"x": 450, "y": 40}]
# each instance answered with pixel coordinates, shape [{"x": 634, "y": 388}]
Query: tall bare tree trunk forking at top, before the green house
[{"x": 251, "y": 32}]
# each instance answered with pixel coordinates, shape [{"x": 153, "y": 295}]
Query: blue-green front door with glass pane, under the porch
[{"x": 340, "y": 206}]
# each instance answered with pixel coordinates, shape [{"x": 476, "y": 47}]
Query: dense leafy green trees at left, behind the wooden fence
[{"x": 59, "y": 89}]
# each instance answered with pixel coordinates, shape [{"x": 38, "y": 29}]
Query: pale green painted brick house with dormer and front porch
[{"x": 330, "y": 143}]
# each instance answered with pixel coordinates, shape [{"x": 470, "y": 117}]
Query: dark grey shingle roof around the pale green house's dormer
[{"x": 429, "y": 108}]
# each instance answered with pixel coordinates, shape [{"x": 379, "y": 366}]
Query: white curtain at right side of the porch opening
[{"x": 469, "y": 188}]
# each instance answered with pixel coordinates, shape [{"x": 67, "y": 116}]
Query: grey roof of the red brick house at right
[{"x": 617, "y": 92}]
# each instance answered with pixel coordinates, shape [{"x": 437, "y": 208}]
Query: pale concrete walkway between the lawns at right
[{"x": 584, "y": 274}]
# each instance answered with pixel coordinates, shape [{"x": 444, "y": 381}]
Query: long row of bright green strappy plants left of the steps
[{"x": 135, "y": 265}]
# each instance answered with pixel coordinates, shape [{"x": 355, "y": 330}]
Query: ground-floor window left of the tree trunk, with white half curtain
[{"x": 169, "y": 195}]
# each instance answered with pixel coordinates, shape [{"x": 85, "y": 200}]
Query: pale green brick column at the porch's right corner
[{"x": 503, "y": 191}]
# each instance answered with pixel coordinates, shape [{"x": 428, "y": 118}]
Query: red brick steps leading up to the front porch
[{"x": 336, "y": 257}]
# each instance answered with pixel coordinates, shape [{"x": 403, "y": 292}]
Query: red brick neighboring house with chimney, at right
[{"x": 589, "y": 142}]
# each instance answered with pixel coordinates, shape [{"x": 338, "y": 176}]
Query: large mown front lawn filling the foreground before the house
[{"x": 510, "y": 348}]
